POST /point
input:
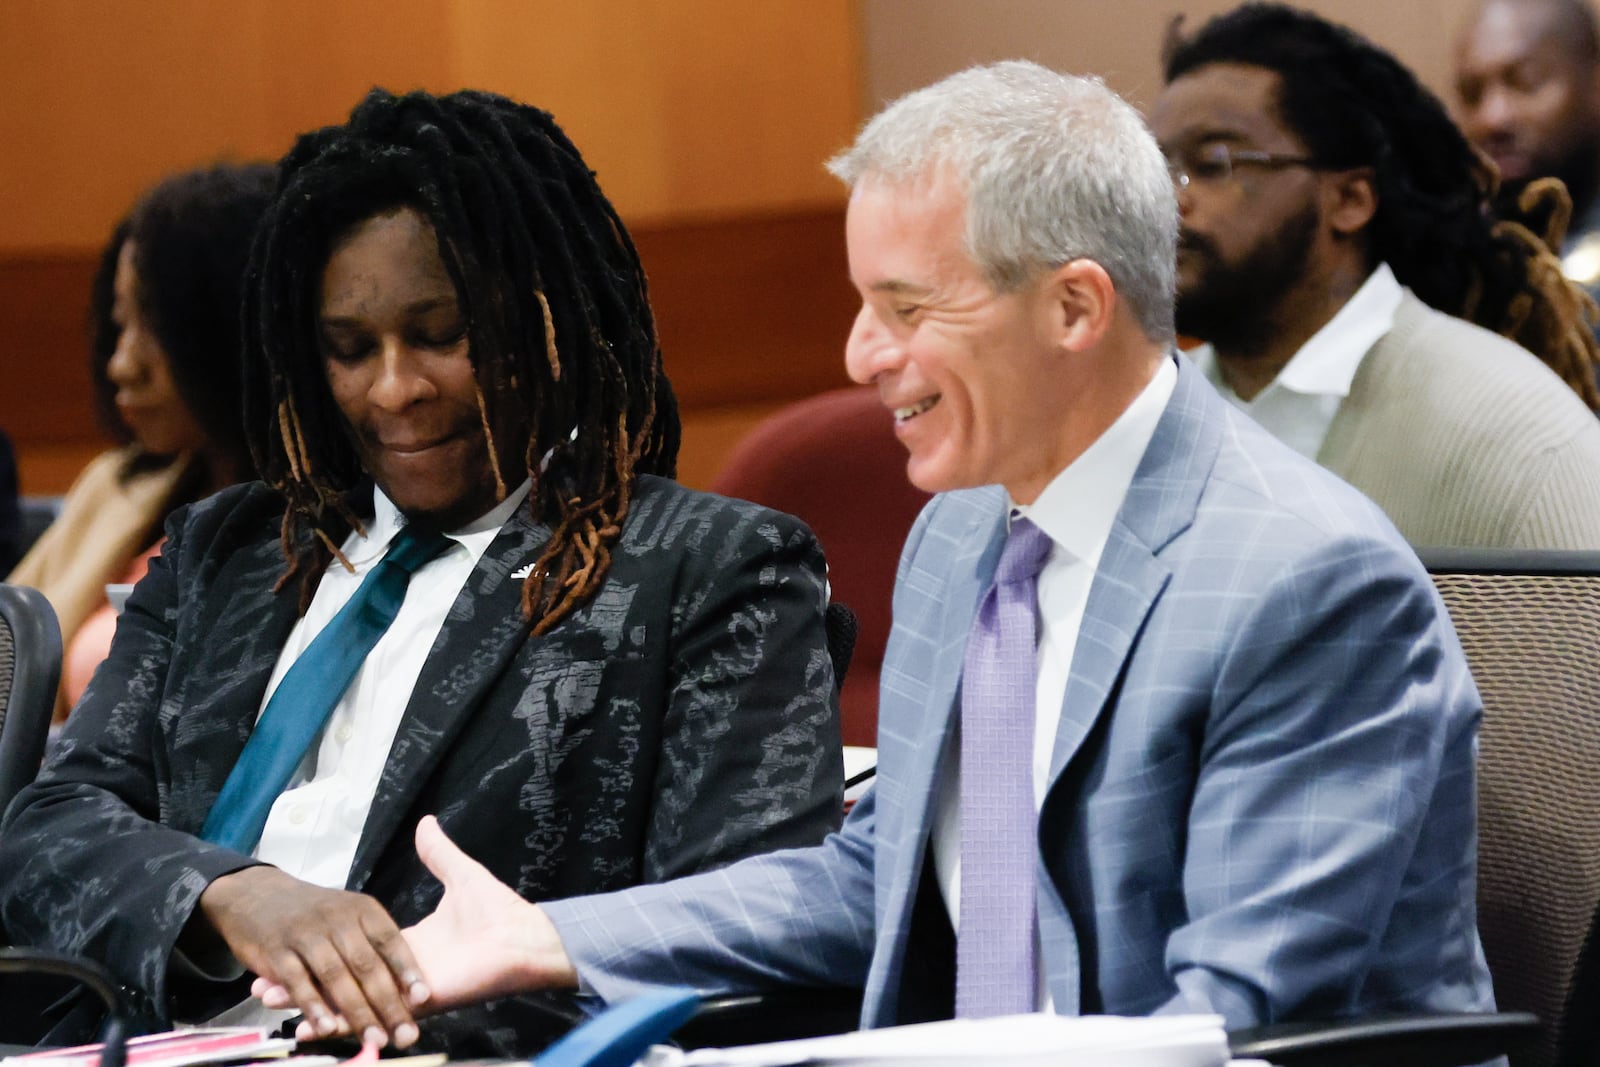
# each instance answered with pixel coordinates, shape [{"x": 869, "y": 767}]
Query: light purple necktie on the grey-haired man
[{"x": 994, "y": 951}]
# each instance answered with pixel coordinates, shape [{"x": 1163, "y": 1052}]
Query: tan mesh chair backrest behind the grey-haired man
[{"x": 1530, "y": 626}]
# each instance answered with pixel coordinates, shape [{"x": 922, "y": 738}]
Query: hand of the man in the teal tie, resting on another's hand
[{"x": 340, "y": 956}]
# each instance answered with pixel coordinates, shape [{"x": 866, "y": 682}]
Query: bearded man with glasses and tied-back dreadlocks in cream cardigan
[{"x": 1337, "y": 231}]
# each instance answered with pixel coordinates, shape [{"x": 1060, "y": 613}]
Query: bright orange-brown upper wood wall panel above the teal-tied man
[{"x": 686, "y": 108}]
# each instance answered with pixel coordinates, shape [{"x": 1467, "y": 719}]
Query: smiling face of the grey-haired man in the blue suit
[{"x": 975, "y": 378}]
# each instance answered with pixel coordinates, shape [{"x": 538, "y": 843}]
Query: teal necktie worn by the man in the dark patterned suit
[{"x": 310, "y": 692}]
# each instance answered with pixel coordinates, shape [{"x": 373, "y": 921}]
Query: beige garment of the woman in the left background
[{"x": 105, "y": 522}]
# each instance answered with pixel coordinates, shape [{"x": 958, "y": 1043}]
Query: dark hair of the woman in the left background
[{"x": 191, "y": 241}]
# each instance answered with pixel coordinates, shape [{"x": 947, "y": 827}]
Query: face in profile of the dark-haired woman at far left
[{"x": 148, "y": 399}]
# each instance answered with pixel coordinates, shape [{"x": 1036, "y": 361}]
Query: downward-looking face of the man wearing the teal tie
[{"x": 394, "y": 345}]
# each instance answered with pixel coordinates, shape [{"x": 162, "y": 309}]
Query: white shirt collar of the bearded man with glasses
[{"x": 1298, "y": 406}]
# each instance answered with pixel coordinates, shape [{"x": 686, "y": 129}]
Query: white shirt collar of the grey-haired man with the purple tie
[{"x": 1081, "y": 505}]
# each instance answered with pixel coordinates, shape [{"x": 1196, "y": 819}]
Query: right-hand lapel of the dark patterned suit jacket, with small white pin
[{"x": 481, "y": 636}]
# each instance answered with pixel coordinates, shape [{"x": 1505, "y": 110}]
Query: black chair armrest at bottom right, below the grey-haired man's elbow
[{"x": 1422, "y": 1041}]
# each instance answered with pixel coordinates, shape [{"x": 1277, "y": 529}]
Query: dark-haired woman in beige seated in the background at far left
[{"x": 166, "y": 361}]
